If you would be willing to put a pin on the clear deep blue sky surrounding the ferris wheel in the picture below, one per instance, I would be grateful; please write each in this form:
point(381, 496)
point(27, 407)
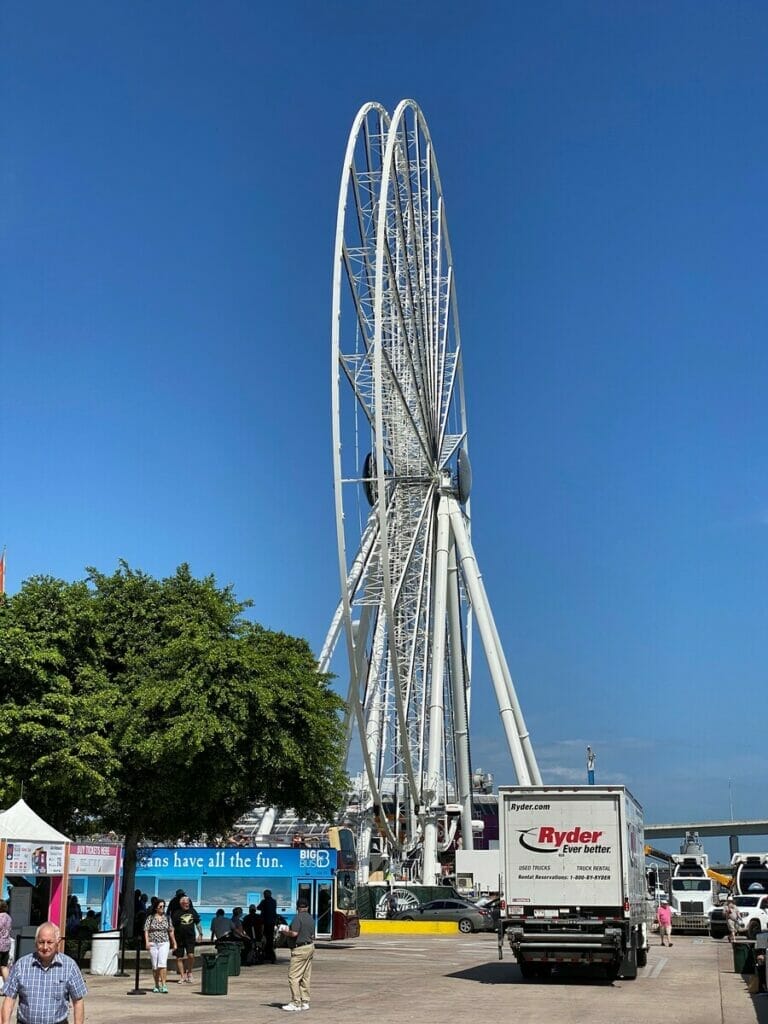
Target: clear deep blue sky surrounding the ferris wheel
point(167, 209)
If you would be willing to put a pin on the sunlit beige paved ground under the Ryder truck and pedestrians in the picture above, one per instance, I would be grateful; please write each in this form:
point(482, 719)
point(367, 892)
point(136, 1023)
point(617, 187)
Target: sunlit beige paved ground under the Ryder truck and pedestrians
point(437, 979)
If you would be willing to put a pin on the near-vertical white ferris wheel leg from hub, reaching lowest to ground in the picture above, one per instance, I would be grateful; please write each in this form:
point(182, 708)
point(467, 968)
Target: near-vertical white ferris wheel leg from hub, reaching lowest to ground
point(432, 868)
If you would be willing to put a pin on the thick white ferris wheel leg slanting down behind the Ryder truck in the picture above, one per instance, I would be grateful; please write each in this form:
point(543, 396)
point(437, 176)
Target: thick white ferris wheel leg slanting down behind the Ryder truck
point(485, 621)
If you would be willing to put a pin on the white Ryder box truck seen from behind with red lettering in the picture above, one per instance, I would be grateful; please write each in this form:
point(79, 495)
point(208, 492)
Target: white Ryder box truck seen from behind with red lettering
point(573, 881)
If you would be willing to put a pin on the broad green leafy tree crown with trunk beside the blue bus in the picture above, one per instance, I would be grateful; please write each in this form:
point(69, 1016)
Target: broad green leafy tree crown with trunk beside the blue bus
point(176, 714)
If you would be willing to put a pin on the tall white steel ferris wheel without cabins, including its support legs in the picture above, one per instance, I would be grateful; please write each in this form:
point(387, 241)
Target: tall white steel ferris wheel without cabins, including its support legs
point(411, 589)
